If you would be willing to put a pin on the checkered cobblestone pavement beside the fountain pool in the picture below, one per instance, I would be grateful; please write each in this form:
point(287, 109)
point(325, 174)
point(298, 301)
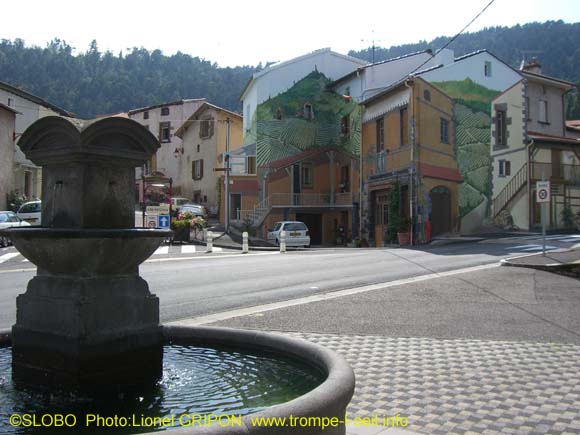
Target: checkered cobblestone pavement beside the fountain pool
point(459, 386)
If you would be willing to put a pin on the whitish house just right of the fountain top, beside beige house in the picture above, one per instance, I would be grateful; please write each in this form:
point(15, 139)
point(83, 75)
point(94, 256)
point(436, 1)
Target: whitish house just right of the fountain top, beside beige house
point(163, 120)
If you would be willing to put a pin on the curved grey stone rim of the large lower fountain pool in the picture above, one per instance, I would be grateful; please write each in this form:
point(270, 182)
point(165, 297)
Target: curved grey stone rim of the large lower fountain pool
point(328, 399)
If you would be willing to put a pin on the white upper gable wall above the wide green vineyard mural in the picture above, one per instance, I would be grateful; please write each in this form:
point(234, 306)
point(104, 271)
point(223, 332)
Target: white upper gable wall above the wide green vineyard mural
point(282, 76)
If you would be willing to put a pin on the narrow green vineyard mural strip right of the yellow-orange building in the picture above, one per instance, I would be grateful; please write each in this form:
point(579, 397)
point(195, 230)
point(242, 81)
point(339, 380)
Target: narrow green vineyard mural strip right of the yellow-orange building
point(473, 128)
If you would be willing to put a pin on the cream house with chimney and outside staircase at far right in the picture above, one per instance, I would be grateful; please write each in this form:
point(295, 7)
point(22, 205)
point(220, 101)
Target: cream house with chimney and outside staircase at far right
point(530, 143)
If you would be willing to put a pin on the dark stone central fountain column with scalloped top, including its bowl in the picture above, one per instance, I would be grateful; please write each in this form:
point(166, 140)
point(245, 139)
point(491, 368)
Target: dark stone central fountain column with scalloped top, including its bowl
point(87, 319)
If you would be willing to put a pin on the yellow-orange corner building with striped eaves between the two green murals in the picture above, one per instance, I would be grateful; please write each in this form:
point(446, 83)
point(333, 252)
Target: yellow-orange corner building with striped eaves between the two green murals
point(408, 139)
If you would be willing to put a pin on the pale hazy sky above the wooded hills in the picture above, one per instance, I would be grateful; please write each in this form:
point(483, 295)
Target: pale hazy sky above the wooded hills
point(247, 32)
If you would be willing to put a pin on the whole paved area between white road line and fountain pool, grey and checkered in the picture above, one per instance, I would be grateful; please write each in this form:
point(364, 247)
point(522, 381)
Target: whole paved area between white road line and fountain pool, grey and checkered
point(494, 351)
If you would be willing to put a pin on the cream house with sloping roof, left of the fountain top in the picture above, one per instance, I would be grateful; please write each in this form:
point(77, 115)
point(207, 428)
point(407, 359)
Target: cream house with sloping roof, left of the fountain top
point(27, 176)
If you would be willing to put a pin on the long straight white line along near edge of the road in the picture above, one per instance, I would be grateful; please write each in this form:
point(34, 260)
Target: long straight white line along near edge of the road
point(217, 317)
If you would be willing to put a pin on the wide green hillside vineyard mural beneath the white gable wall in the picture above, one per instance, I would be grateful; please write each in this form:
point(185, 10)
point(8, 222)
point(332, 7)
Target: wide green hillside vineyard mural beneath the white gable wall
point(306, 116)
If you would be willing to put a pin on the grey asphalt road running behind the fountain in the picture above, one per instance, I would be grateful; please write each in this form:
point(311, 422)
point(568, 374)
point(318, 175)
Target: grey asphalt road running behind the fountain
point(195, 285)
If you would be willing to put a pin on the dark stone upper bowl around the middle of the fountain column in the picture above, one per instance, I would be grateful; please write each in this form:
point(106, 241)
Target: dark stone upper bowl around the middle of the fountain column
point(87, 251)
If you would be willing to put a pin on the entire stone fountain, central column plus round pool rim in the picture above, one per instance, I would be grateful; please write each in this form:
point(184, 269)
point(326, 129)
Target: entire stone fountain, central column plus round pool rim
point(88, 322)
